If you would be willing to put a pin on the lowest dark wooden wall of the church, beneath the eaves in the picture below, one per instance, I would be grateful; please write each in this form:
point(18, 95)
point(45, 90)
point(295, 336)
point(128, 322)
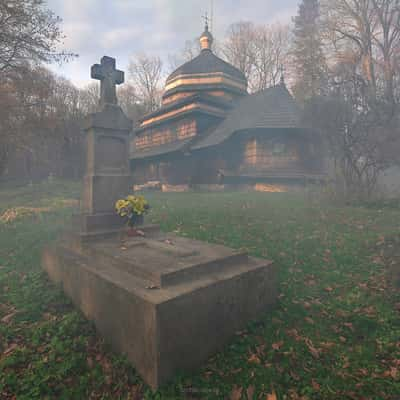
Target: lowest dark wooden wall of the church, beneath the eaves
point(262, 153)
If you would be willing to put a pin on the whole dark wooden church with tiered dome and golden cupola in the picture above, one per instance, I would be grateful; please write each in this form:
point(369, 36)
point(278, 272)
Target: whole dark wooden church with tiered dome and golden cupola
point(210, 131)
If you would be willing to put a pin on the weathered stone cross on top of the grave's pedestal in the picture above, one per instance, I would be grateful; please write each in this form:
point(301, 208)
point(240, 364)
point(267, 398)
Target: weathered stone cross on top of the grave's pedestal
point(109, 77)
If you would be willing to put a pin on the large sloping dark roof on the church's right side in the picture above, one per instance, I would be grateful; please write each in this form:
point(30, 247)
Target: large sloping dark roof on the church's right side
point(272, 108)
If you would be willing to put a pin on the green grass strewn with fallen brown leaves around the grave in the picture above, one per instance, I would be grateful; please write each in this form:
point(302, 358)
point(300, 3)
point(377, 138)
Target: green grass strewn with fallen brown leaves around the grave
point(335, 333)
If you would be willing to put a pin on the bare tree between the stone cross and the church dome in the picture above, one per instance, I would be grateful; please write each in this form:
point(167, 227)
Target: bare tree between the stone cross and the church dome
point(145, 73)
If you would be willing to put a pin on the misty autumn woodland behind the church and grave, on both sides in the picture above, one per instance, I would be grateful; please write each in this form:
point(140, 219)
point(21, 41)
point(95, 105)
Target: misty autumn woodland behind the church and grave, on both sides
point(339, 58)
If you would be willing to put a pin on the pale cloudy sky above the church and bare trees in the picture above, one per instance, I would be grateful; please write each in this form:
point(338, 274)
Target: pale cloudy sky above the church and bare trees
point(121, 28)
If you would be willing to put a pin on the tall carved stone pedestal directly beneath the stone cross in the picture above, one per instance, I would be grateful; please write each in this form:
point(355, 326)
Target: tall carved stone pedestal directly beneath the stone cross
point(108, 177)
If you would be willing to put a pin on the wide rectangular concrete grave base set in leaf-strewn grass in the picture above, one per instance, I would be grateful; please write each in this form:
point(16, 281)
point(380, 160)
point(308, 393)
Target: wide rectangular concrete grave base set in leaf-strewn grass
point(166, 302)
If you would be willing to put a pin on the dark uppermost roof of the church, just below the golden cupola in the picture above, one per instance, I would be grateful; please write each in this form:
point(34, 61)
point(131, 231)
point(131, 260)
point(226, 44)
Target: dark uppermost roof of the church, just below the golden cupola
point(205, 63)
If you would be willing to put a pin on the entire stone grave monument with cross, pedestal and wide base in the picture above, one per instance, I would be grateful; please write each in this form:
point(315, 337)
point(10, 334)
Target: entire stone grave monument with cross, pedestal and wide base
point(165, 301)
